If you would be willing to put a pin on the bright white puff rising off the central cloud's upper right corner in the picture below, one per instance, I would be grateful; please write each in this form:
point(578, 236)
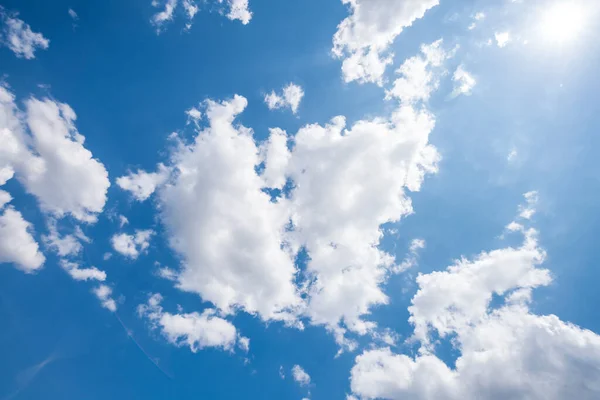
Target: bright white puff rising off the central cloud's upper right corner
point(419, 75)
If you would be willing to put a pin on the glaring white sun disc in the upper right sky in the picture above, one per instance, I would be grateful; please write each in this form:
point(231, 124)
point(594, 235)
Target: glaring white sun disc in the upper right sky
point(563, 21)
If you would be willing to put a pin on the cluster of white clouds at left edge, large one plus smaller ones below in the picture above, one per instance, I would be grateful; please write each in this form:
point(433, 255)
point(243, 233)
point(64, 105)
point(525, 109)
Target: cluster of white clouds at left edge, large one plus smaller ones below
point(42, 148)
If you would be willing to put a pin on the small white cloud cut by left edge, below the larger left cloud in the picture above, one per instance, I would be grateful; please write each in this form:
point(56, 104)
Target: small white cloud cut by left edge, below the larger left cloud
point(17, 244)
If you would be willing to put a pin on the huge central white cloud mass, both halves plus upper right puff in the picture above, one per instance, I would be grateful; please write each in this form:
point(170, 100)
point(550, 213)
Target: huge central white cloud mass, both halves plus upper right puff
point(239, 230)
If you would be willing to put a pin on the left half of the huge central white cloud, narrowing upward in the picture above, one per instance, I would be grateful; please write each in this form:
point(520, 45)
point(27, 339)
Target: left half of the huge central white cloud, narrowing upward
point(224, 226)
